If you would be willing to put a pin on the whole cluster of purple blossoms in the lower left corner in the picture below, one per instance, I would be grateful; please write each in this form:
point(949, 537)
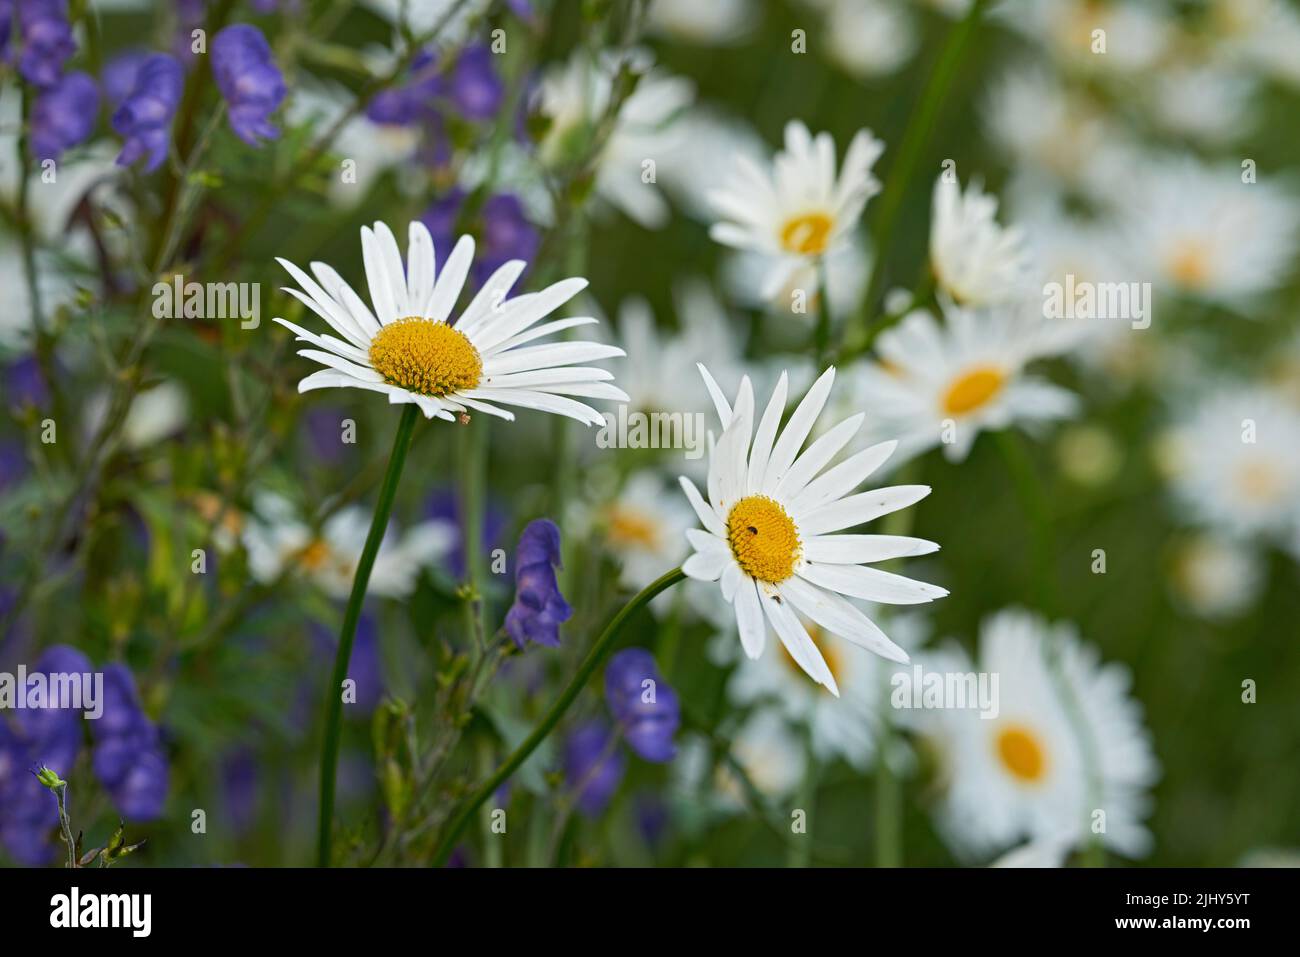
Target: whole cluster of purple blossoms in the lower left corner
point(128, 757)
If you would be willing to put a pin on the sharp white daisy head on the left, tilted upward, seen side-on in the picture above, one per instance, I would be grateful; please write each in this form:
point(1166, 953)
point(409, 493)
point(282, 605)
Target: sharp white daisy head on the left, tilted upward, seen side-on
point(409, 350)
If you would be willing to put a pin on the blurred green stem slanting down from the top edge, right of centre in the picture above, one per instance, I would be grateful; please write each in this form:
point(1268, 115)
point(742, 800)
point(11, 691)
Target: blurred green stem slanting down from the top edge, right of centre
point(909, 155)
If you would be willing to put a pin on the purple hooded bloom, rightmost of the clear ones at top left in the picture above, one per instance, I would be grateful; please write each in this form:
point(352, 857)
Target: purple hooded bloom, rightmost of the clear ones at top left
point(250, 81)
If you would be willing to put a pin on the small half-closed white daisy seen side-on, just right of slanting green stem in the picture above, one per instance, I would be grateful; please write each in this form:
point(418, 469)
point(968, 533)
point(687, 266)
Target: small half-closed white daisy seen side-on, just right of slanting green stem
point(976, 261)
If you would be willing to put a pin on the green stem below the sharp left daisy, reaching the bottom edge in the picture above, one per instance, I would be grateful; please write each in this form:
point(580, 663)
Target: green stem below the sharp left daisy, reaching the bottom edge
point(352, 616)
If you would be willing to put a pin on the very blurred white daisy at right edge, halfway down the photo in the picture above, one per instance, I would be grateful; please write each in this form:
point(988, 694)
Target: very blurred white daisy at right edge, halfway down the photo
point(1234, 462)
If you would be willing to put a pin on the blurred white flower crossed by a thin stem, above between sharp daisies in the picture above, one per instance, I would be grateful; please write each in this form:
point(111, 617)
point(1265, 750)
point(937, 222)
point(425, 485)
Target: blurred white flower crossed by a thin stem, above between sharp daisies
point(577, 96)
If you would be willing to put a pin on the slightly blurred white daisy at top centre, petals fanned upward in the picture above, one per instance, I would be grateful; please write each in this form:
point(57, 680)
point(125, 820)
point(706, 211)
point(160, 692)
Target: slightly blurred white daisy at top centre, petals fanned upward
point(800, 209)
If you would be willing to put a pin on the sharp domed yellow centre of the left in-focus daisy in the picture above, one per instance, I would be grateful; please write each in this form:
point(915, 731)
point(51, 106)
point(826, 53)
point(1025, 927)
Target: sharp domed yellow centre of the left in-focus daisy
point(424, 357)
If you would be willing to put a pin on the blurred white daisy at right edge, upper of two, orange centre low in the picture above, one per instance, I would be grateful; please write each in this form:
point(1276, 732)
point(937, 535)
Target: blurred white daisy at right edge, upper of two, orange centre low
point(1203, 232)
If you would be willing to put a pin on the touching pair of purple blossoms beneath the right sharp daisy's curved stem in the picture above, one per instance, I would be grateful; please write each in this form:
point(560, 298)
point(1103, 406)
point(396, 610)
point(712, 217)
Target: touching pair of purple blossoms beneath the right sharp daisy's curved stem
point(647, 713)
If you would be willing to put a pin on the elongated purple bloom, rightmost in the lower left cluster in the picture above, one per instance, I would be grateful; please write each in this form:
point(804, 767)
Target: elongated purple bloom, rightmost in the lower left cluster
point(129, 759)
